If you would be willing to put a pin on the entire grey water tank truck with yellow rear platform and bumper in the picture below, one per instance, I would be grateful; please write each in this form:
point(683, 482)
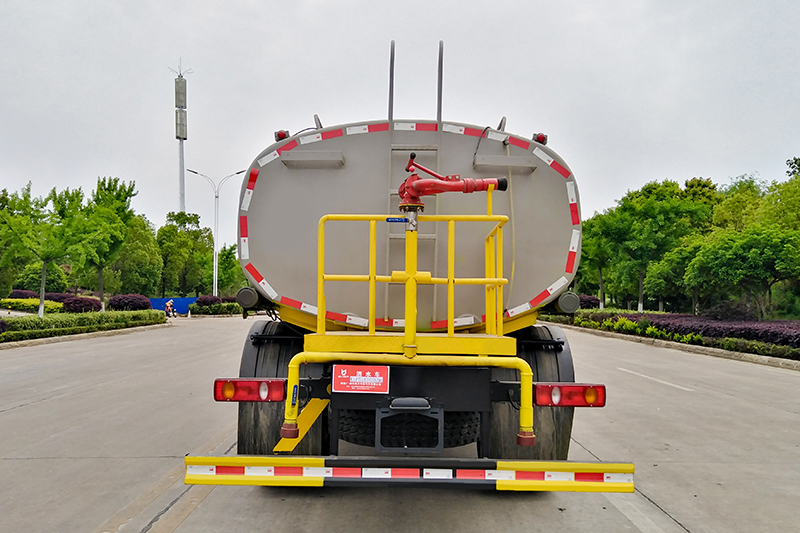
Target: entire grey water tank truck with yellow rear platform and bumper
point(402, 264)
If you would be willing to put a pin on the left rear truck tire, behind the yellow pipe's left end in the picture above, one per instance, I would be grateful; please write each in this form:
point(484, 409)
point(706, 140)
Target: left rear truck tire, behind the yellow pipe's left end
point(260, 422)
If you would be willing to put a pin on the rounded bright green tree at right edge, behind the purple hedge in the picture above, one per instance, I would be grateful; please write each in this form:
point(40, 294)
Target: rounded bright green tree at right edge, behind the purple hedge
point(748, 263)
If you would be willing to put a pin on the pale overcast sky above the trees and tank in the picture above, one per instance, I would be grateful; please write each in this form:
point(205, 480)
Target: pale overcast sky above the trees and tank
point(628, 91)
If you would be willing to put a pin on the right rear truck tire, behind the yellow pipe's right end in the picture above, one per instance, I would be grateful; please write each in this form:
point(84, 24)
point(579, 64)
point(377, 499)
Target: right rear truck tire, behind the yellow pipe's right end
point(551, 425)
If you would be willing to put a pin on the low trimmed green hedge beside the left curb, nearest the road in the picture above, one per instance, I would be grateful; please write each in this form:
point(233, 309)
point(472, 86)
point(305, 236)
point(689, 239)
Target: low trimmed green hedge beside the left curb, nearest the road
point(33, 327)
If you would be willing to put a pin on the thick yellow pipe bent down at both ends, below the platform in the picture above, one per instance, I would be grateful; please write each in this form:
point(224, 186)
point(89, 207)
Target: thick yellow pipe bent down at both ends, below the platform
point(526, 376)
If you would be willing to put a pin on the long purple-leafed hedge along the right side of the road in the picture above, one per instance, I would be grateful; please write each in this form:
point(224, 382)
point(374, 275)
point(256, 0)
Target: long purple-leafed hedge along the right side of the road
point(782, 332)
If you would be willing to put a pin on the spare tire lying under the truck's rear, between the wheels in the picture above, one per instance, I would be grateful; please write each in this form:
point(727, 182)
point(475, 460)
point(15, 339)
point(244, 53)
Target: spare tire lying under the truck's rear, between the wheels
point(412, 430)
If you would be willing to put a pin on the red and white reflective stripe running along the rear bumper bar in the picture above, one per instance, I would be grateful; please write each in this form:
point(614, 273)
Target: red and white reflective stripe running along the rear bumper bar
point(407, 473)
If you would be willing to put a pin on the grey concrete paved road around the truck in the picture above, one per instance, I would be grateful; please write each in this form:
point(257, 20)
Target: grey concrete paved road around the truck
point(93, 432)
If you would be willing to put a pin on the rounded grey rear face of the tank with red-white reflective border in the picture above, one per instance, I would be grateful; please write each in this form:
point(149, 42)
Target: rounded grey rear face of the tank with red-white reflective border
point(357, 169)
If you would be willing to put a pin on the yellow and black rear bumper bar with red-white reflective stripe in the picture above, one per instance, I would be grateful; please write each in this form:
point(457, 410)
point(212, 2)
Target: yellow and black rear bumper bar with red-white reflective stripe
point(299, 471)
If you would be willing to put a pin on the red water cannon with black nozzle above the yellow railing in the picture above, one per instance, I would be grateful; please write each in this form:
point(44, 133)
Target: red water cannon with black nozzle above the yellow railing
point(415, 187)
